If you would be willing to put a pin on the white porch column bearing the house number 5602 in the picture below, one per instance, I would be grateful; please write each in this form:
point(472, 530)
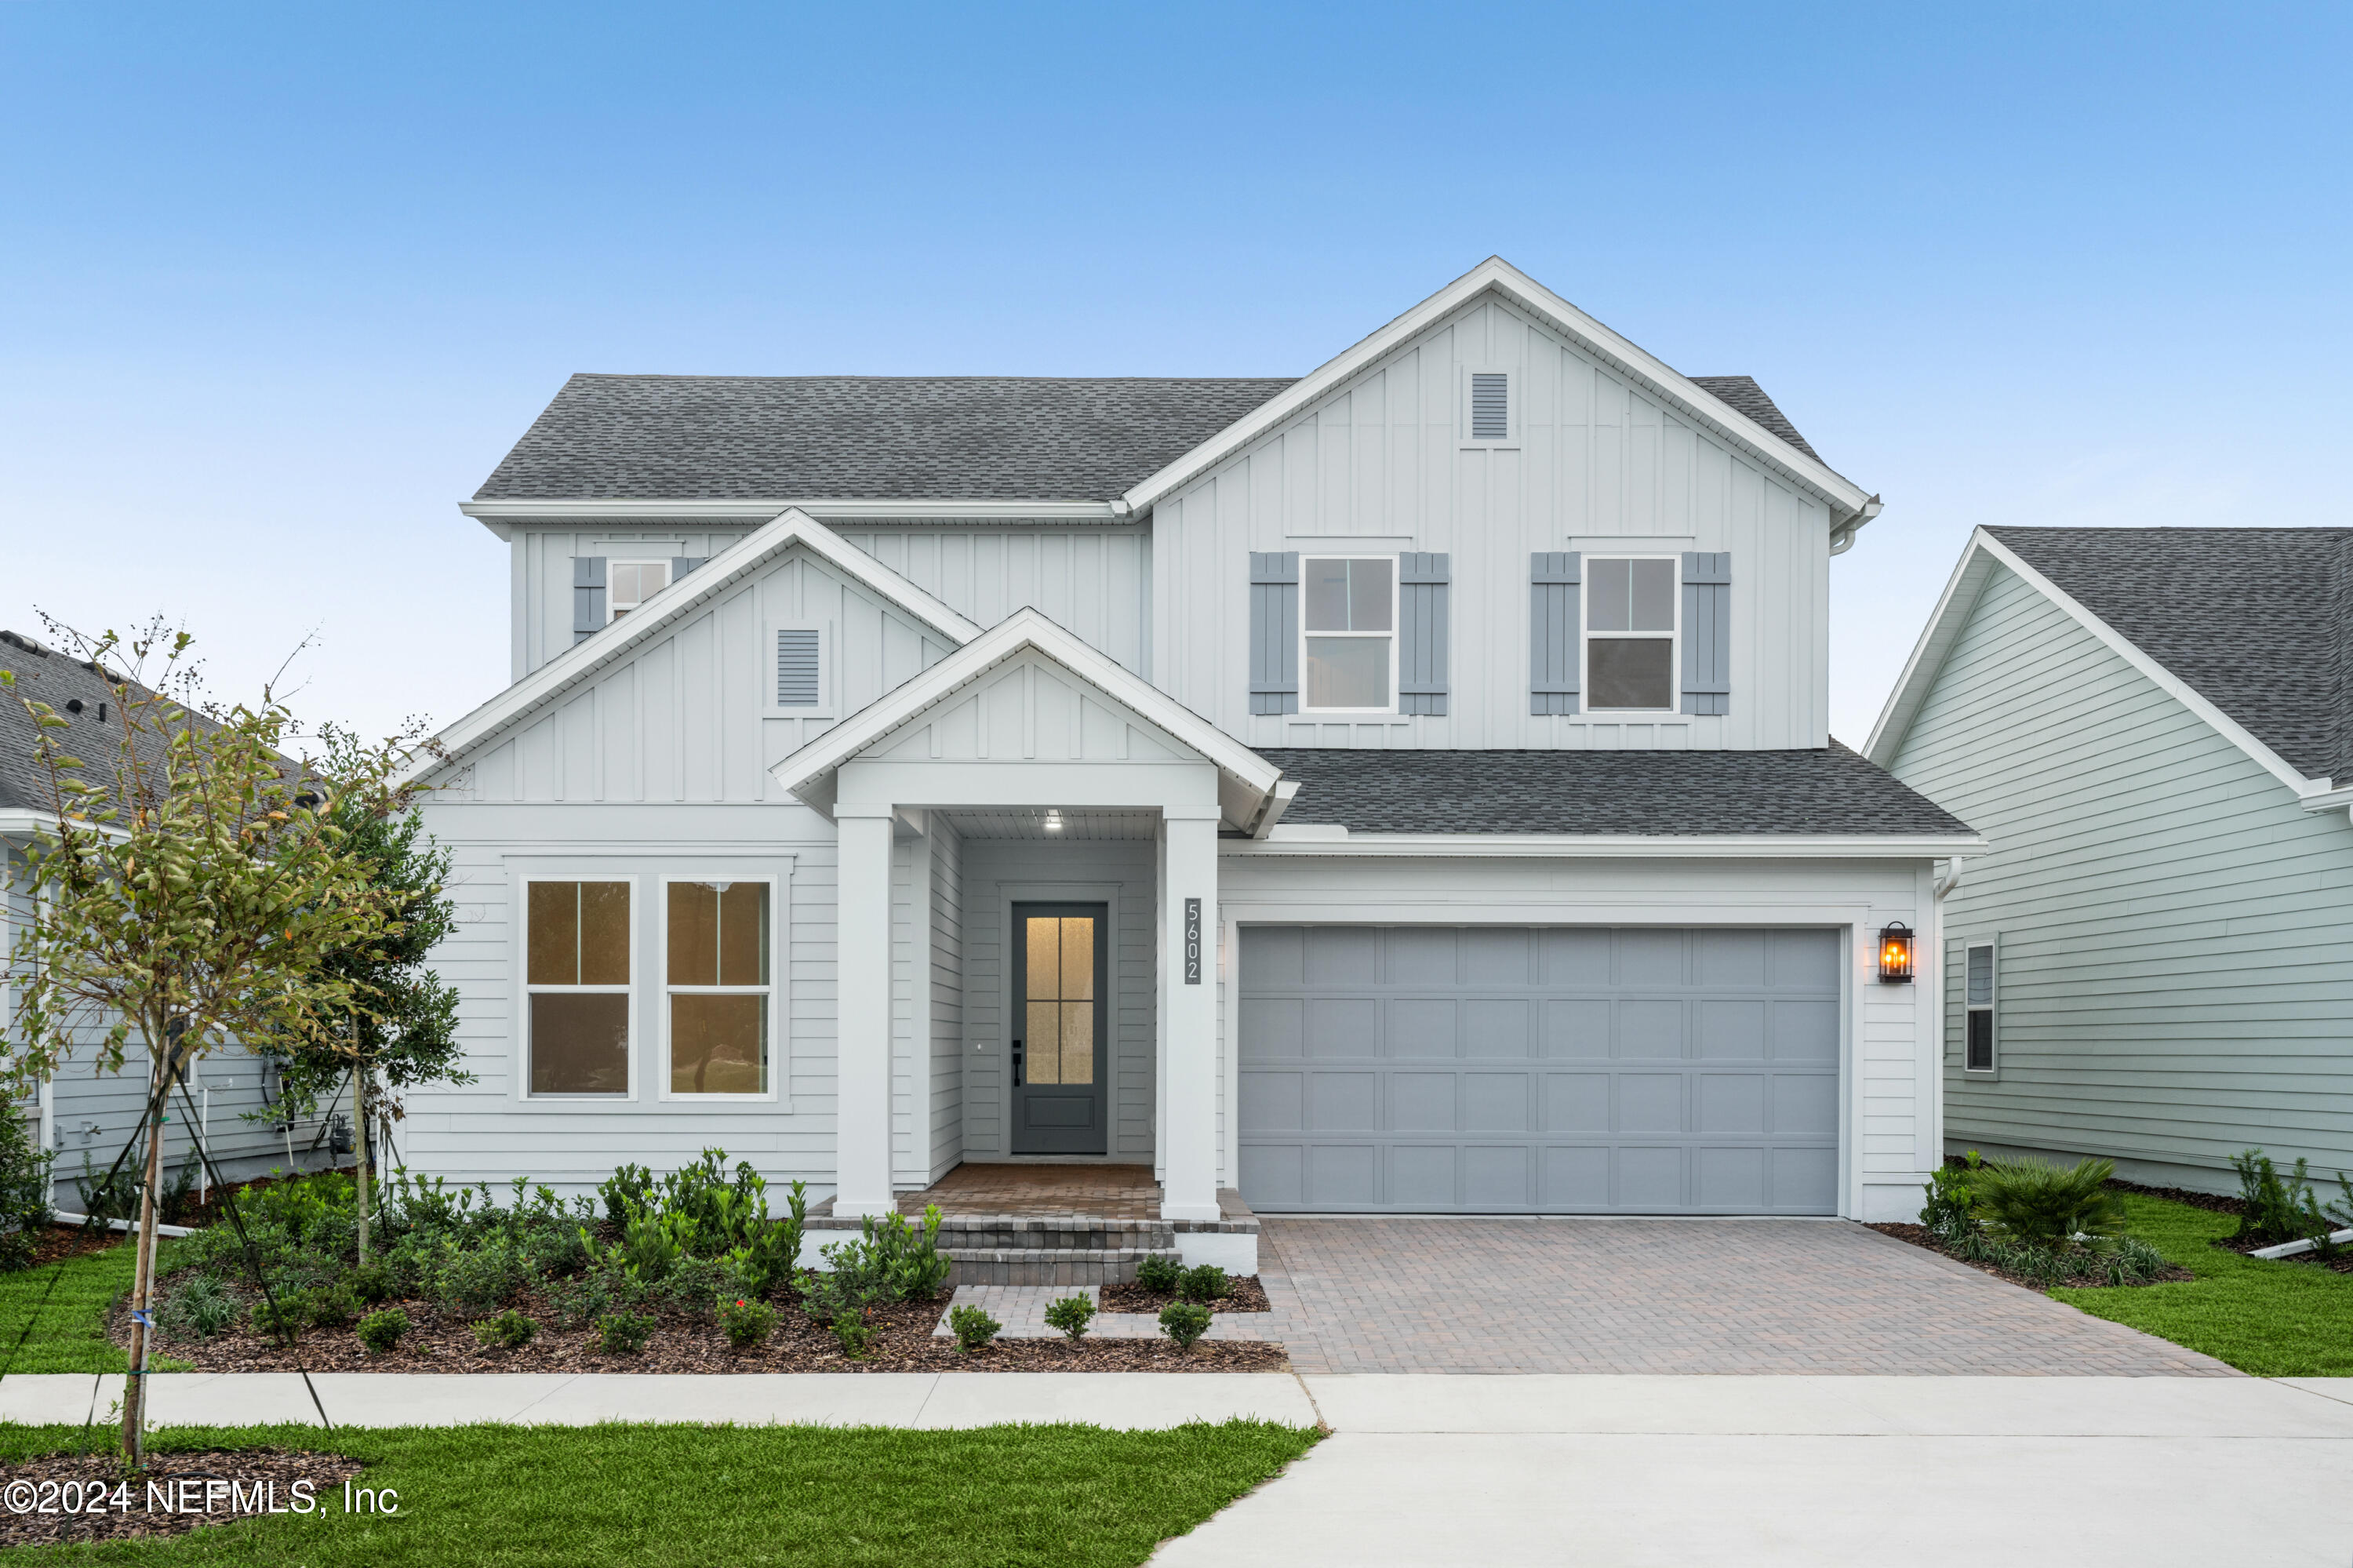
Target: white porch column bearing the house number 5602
point(1189, 1014)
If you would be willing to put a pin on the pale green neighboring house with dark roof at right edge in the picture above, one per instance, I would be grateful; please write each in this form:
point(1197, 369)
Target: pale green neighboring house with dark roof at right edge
point(2154, 729)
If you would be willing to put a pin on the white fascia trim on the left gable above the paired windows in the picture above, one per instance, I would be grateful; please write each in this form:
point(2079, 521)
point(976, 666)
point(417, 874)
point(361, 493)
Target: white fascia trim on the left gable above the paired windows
point(667, 609)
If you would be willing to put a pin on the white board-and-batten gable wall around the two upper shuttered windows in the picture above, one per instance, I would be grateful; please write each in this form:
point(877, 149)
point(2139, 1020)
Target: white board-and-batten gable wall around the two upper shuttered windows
point(1380, 467)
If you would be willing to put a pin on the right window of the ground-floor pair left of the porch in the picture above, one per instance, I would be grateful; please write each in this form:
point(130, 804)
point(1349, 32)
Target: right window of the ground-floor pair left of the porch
point(719, 992)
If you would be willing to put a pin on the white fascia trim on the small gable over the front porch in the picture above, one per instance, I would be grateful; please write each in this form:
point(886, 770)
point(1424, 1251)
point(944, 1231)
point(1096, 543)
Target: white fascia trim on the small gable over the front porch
point(808, 771)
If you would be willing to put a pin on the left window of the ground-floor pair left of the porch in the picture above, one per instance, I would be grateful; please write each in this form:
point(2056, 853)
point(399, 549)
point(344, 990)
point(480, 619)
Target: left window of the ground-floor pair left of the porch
point(578, 992)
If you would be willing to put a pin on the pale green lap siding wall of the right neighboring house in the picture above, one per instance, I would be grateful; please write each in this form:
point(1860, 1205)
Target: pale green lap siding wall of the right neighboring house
point(2175, 931)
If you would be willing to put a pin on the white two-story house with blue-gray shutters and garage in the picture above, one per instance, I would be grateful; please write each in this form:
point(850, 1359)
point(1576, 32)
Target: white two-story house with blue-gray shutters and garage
point(1401, 790)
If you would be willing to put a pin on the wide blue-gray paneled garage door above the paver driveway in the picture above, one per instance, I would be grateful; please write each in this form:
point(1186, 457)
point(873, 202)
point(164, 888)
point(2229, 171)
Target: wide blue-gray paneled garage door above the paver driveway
point(1540, 1070)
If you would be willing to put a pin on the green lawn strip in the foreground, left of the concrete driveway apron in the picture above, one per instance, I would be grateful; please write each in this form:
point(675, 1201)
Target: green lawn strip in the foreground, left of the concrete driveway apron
point(724, 1496)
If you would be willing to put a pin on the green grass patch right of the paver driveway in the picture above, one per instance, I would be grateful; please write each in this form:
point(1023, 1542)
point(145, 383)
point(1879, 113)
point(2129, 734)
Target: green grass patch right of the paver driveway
point(2260, 1317)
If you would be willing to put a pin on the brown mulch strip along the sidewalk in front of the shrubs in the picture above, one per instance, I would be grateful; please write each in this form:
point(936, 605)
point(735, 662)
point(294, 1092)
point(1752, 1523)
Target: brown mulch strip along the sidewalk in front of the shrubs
point(681, 1343)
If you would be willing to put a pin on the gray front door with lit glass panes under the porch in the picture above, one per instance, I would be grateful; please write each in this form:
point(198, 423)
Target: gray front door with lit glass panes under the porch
point(1060, 1039)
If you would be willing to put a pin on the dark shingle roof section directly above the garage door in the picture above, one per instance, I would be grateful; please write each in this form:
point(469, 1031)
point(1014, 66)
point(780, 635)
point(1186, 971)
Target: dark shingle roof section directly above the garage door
point(1604, 792)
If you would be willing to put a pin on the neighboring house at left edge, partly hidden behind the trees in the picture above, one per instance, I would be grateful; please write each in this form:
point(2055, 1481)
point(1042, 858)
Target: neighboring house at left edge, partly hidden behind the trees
point(81, 1112)
